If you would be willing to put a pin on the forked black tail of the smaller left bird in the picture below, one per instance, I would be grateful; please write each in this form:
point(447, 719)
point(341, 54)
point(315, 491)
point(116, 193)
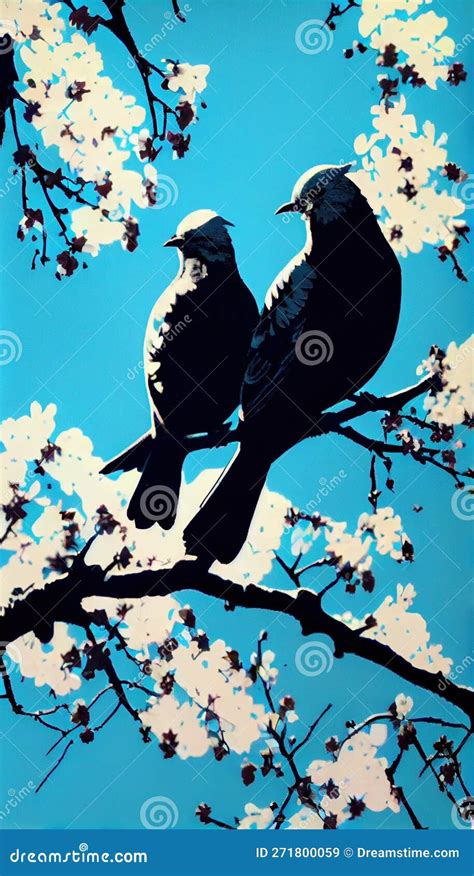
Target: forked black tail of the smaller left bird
point(160, 459)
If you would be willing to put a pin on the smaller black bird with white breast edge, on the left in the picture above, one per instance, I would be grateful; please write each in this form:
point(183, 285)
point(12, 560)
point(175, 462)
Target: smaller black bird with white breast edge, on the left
point(195, 349)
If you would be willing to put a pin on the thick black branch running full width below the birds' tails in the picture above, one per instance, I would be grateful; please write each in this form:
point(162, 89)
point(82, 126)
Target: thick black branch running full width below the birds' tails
point(61, 601)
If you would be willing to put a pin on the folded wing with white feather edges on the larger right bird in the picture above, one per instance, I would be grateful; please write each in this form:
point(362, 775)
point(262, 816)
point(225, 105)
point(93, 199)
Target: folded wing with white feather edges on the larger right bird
point(272, 351)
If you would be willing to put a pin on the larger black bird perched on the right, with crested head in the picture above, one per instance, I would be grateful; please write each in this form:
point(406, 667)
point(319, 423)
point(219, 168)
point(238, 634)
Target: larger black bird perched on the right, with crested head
point(328, 322)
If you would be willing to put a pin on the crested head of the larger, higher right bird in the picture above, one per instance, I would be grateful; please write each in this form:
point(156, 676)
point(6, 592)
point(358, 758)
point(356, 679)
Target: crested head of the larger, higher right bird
point(323, 191)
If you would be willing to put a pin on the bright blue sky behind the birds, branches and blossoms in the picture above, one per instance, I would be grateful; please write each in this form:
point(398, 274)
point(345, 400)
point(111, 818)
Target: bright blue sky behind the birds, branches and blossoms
point(272, 113)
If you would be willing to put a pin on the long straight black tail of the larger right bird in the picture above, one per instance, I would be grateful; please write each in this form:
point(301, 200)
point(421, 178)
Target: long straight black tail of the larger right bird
point(219, 529)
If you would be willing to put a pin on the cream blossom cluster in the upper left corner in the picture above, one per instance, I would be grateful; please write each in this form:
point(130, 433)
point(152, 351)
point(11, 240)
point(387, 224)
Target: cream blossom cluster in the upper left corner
point(68, 98)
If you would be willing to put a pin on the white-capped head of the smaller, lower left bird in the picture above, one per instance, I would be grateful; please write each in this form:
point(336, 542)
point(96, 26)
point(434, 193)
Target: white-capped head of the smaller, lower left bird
point(203, 235)
